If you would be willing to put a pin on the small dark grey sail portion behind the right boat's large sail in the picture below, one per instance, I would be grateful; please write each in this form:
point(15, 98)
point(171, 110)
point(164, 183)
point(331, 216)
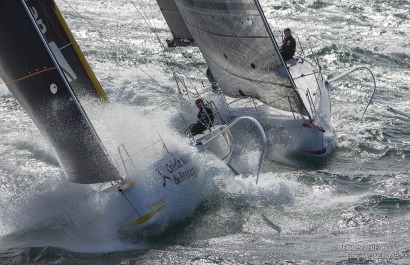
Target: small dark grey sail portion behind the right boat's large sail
point(174, 19)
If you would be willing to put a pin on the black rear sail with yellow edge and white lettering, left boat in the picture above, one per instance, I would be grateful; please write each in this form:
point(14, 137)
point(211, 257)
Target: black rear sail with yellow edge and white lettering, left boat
point(65, 49)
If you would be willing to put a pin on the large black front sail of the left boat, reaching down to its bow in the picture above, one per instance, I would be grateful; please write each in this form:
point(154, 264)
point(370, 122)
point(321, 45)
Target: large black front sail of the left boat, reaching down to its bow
point(31, 73)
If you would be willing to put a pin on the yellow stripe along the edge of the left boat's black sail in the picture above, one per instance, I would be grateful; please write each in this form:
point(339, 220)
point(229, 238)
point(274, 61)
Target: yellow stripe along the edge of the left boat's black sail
point(80, 54)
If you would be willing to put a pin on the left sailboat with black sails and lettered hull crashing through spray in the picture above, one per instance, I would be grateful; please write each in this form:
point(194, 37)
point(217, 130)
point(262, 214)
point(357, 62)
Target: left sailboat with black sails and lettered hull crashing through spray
point(45, 70)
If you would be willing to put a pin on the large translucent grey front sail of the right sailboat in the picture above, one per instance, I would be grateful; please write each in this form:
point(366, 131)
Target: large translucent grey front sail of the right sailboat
point(240, 51)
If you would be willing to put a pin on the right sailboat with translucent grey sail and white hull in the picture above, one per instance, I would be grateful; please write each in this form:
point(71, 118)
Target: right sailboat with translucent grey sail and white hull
point(289, 98)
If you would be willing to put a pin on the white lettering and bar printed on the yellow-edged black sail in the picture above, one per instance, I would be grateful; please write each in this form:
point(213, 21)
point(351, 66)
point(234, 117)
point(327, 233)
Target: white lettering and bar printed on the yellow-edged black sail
point(65, 67)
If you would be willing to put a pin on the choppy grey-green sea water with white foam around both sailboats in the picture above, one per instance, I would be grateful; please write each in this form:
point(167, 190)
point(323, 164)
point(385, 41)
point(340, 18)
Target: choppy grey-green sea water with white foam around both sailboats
point(352, 207)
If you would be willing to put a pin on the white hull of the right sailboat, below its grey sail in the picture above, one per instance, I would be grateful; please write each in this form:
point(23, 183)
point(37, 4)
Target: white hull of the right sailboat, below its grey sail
point(293, 132)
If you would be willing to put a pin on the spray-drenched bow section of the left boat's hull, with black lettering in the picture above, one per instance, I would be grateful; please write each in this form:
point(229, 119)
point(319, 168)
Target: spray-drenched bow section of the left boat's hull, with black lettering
point(164, 192)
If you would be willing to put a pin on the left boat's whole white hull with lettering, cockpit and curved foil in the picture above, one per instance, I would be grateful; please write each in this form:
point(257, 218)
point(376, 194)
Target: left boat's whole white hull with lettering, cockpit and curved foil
point(171, 188)
